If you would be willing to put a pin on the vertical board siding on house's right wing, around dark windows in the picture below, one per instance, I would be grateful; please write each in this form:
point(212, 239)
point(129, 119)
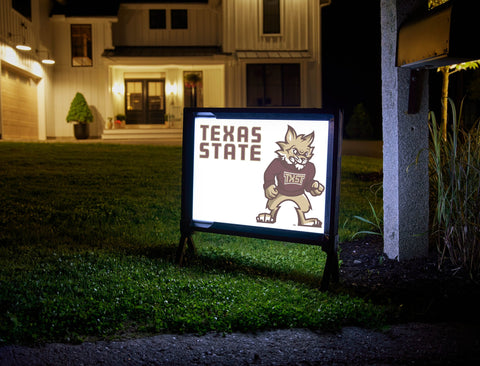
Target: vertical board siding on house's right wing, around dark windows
point(299, 37)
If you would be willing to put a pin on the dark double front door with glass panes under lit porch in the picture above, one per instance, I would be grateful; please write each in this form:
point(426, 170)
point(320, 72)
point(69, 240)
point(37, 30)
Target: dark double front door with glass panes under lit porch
point(145, 101)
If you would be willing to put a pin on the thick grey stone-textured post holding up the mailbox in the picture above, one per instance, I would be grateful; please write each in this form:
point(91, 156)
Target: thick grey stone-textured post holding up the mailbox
point(405, 183)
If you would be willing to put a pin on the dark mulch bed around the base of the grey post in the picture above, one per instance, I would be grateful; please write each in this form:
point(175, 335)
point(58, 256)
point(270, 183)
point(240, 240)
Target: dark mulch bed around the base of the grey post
point(415, 289)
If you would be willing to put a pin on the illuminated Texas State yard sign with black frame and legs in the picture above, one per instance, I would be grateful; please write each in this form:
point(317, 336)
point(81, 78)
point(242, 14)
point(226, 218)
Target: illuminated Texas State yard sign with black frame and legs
point(265, 173)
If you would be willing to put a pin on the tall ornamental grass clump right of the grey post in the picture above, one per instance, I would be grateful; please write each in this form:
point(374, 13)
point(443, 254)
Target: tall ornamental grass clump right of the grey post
point(455, 181)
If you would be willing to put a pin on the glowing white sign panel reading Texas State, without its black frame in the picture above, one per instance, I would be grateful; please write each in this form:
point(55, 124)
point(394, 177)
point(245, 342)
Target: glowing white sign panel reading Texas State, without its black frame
point(266, 173)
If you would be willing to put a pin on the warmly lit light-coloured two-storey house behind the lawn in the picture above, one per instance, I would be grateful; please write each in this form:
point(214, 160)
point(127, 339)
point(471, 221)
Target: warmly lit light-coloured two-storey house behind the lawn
point(147, 60)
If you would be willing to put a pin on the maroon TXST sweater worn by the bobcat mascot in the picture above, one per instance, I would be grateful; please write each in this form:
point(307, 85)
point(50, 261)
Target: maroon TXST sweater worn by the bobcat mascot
point(289, 180)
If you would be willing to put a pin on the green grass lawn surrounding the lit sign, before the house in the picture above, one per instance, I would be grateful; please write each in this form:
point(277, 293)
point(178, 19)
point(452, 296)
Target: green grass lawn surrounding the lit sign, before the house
point(88, 234)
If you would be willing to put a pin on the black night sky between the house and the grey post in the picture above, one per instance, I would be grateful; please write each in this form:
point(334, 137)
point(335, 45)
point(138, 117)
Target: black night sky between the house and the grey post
point(351, 57)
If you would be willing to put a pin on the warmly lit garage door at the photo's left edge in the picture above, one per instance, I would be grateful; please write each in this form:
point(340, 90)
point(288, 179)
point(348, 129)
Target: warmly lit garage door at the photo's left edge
point(19, 105)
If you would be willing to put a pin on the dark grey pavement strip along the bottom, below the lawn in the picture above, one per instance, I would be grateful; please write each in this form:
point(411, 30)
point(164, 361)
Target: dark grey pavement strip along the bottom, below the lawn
point(405, 344)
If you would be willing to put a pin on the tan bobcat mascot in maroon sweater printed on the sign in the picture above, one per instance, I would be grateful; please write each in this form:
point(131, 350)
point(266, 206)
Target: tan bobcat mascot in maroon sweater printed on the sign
point(289, 176)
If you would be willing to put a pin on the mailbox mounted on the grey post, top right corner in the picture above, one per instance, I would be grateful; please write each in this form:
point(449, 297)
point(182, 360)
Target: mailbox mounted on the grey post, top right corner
point(447, 35)
